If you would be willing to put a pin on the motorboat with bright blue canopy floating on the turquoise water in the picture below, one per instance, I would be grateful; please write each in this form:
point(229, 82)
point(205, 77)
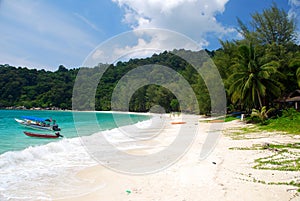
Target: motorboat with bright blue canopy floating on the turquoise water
point(38, 123)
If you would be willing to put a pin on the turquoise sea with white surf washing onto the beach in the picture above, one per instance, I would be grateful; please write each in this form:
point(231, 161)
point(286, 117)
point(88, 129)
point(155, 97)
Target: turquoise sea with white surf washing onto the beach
point(28, 163)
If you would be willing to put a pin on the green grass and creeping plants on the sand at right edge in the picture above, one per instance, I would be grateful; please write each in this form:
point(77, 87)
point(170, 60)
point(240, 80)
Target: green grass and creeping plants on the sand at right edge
point(281, 156)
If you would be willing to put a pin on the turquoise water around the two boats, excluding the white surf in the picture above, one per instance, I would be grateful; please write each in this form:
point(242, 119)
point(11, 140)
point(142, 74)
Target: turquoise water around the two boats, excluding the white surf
point(12, 137)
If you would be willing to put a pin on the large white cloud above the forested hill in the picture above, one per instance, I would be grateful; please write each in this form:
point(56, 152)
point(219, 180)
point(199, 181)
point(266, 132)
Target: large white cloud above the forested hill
point(192, 18)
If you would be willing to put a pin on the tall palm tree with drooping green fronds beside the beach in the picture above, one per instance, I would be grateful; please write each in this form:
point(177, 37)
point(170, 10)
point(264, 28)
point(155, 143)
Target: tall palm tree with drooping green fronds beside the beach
point(252, 78)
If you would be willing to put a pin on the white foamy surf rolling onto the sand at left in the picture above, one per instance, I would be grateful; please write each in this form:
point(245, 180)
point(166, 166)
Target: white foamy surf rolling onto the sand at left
point(35, 172)
